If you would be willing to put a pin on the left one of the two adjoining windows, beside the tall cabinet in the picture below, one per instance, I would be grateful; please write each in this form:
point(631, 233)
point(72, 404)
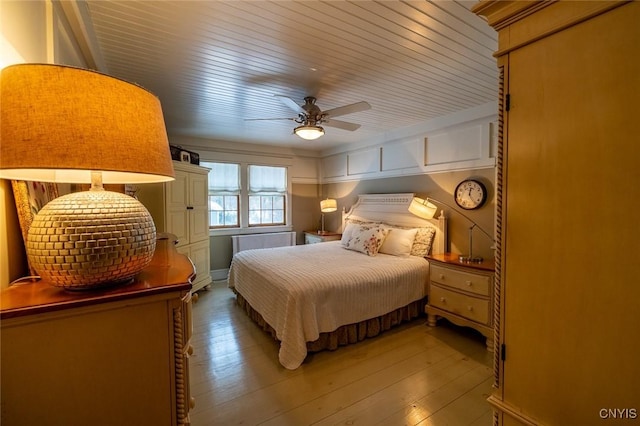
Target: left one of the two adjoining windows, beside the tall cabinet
point(224, 192)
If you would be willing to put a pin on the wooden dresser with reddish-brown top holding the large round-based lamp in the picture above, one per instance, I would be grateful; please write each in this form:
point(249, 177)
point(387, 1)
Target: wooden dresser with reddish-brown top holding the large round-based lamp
point(117, 356)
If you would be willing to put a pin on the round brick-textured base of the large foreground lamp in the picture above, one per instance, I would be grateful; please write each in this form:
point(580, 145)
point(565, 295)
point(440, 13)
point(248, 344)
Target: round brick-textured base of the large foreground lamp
point(91, 239)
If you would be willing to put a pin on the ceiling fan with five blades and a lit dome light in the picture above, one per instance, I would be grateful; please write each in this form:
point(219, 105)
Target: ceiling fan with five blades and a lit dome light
point(310, 116)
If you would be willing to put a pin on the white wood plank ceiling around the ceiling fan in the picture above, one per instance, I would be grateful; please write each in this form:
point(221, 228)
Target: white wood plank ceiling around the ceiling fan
point(215, 64)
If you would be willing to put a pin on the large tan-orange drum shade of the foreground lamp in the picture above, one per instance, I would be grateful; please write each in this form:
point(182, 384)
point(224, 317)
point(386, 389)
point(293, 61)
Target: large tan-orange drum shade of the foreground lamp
point(59, 123)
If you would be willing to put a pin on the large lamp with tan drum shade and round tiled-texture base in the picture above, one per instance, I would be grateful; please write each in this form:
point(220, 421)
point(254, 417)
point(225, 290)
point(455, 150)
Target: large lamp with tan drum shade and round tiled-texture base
point(66, 124)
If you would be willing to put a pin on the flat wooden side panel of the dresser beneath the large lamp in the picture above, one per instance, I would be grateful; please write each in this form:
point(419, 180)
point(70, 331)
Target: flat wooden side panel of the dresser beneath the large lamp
point(106, 364)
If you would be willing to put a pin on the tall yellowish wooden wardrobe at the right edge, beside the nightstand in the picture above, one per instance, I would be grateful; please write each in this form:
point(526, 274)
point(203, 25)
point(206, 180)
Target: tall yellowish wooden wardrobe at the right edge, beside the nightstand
point(568, 212)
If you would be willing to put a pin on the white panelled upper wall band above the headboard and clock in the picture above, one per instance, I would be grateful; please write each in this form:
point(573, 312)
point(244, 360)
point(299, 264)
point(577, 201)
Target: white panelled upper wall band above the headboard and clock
point(462, 141)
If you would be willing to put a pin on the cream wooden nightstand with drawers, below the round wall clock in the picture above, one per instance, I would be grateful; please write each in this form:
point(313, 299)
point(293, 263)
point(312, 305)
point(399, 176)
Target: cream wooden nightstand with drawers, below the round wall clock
point(461, 293)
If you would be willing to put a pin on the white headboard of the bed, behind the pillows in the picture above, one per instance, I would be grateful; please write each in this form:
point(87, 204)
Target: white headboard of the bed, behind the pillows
point(394, 210)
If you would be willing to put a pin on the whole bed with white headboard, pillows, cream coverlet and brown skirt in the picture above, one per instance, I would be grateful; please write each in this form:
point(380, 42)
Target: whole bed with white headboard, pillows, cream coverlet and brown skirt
point(321, 296)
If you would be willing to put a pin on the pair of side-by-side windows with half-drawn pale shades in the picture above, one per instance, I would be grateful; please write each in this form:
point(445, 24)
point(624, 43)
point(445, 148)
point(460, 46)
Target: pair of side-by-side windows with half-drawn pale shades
point(246, 195)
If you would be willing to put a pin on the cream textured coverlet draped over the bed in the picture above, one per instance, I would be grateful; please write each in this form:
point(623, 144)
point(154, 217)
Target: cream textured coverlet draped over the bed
point(302, 291)
